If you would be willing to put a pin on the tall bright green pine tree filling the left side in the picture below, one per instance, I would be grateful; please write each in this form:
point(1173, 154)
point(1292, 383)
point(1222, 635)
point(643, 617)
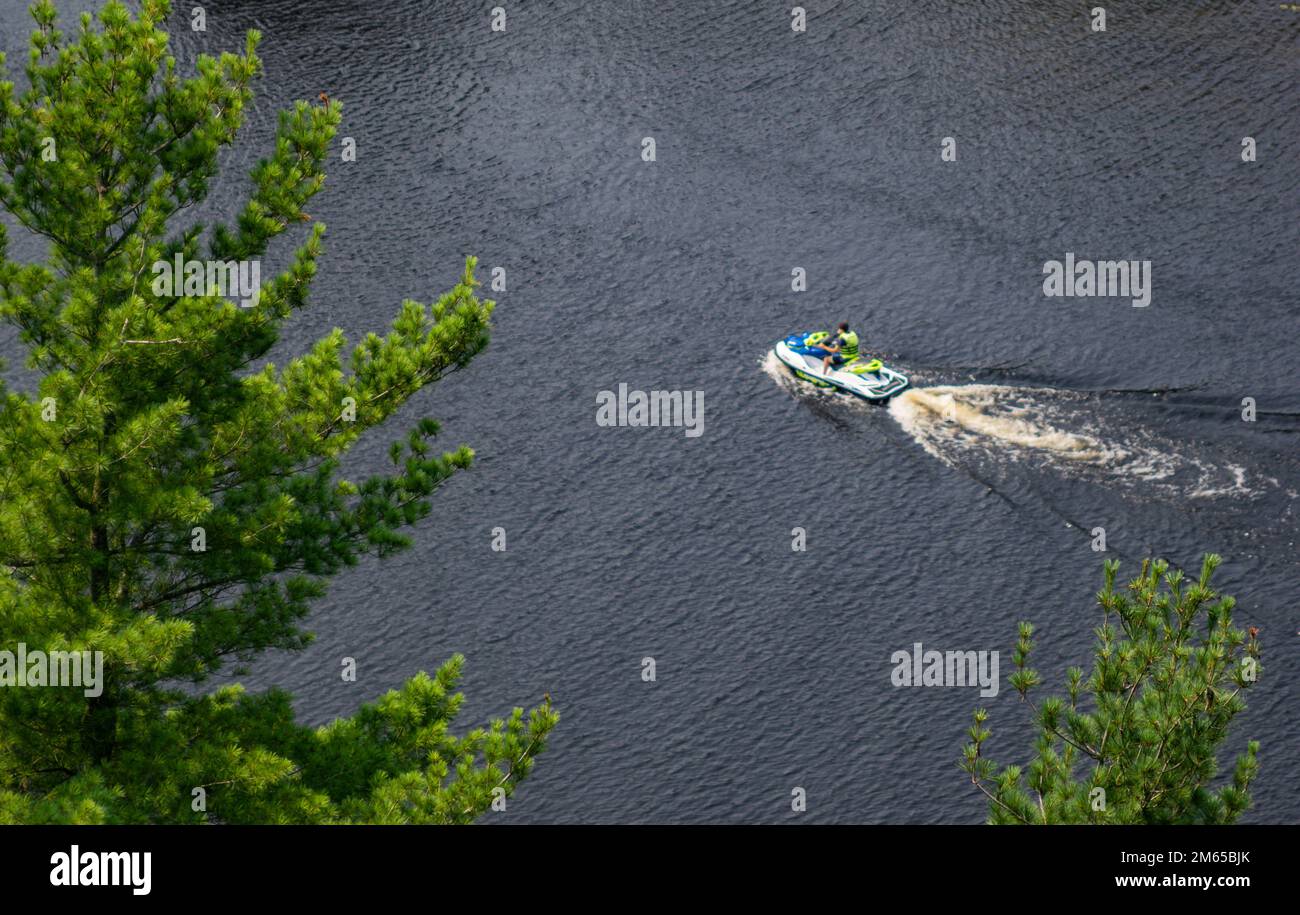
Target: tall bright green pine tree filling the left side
point(172, 502)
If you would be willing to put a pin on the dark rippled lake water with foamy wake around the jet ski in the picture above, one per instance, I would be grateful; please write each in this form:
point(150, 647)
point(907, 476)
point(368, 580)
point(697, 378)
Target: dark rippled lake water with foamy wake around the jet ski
point(943, 519)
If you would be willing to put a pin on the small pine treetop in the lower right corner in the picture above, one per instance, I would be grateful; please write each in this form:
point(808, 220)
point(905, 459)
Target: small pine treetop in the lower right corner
point(1145, 727)
